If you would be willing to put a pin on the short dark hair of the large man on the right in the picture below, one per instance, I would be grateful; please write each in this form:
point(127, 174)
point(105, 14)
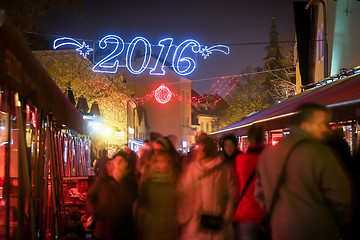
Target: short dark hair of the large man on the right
point(306, 112)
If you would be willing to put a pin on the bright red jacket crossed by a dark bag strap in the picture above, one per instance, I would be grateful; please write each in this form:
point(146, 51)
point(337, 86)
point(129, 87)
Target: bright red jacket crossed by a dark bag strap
point(248, 210)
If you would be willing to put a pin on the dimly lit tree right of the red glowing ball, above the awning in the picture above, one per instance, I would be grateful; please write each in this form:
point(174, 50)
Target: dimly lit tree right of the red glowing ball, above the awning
point(247, 98)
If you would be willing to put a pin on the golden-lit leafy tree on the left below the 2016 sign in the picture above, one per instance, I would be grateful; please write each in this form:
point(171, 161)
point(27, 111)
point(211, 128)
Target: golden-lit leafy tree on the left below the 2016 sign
point(68, 68)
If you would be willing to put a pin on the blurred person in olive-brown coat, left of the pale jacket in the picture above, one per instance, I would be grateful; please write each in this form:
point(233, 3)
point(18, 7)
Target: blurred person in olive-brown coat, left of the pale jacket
point(156, 211)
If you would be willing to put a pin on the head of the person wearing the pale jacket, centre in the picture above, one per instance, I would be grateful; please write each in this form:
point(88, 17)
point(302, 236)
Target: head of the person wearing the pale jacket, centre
point(205, 147)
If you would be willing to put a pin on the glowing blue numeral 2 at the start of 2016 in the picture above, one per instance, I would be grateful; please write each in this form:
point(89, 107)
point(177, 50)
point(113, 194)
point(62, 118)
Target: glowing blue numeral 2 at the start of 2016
point(102, 66)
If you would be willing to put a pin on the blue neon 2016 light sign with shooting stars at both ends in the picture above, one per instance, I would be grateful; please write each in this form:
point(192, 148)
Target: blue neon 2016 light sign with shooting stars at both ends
point(181, 63)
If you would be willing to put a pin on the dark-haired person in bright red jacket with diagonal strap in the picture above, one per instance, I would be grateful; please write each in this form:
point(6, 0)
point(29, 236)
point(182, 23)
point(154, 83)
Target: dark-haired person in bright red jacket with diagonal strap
point(248, 213)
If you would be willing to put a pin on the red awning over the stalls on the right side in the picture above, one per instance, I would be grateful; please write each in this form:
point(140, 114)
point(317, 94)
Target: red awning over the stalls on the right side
point(342, 96)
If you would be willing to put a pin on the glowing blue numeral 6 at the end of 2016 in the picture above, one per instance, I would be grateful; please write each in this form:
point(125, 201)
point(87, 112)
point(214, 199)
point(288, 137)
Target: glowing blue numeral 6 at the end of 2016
point(177, 58)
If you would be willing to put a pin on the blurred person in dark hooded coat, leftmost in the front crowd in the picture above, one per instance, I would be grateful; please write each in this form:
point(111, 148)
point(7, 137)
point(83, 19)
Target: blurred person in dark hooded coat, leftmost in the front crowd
point(111, 198)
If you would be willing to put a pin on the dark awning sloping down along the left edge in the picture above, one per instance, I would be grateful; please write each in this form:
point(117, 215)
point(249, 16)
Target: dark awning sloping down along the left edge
point(22, 72)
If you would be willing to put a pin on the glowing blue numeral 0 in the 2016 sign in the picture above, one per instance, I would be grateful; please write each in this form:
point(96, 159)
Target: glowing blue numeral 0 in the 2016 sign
point(147, 55)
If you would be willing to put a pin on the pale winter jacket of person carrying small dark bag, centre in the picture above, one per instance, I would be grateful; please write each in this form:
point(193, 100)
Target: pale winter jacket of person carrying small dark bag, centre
point(205, 189)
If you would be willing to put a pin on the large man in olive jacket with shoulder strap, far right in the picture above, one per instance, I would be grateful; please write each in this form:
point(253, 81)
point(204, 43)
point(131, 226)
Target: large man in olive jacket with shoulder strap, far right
point(314, 196)
